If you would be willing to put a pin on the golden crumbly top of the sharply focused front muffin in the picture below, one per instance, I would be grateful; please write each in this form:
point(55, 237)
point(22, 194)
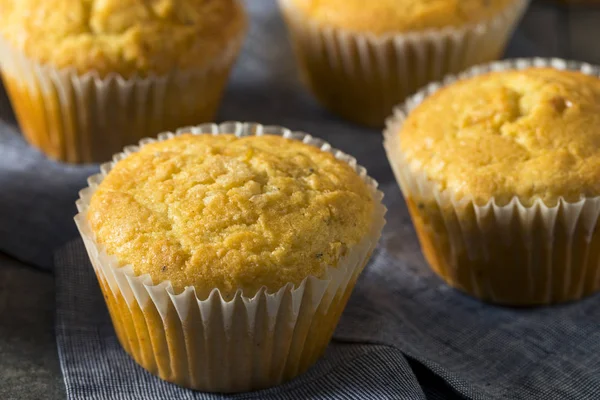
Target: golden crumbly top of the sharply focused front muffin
point(230, 213)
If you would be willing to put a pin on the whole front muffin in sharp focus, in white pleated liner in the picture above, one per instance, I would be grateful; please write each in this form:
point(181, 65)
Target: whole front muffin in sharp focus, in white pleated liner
point(226, 254)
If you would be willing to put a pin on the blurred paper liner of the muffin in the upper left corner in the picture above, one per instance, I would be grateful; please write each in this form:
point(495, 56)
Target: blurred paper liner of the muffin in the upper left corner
point(87, 118)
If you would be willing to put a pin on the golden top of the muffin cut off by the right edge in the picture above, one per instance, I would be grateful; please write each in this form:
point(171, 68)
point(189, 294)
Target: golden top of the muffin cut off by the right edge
point(533, 133)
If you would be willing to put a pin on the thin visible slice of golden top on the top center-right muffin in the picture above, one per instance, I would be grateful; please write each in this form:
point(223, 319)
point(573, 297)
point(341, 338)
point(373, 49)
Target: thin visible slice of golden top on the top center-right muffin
point(399, 16)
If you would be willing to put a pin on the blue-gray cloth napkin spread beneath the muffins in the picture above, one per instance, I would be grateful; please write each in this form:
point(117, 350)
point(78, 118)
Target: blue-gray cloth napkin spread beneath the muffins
point(404, 334)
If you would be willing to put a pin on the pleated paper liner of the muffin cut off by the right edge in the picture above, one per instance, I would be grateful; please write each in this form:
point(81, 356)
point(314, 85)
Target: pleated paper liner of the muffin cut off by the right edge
point(512, 254)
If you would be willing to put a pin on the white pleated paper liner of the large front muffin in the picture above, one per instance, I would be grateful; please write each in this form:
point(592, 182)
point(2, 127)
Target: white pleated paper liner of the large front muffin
point(208, 342)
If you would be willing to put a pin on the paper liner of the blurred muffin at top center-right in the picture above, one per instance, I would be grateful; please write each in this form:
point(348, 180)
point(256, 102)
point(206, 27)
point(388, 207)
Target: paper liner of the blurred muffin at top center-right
point(362, 76)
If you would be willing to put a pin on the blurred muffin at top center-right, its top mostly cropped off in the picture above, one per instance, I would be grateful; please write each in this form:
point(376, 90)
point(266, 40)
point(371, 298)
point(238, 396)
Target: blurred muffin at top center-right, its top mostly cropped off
point(361, 58)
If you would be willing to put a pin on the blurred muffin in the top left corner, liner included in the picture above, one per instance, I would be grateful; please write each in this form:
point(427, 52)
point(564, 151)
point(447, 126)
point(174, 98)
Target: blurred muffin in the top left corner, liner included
point(86, 78)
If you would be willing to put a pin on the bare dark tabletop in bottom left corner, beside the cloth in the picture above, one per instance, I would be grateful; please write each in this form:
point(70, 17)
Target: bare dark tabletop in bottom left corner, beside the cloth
point(29, 367)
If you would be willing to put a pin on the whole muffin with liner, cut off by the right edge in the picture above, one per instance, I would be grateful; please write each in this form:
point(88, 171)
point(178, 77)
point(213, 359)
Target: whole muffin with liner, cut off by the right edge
point(501, 175)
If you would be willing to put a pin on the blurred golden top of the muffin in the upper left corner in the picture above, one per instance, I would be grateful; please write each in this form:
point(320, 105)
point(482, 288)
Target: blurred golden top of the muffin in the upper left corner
point(123, 36)
